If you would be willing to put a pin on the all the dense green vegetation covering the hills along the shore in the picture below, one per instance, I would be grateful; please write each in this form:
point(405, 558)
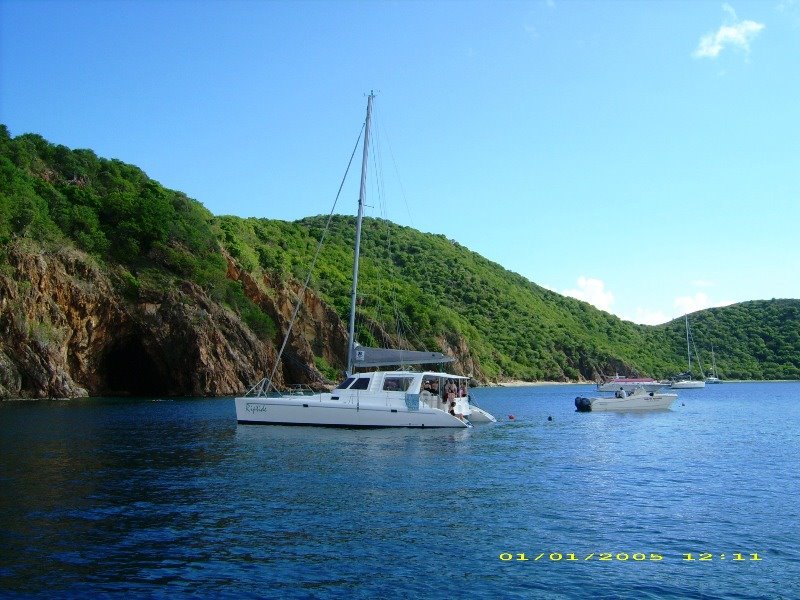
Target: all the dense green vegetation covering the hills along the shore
point(426, 287)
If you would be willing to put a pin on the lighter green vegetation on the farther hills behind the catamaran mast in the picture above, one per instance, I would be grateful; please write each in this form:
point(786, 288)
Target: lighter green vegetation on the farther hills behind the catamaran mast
point(434, 287)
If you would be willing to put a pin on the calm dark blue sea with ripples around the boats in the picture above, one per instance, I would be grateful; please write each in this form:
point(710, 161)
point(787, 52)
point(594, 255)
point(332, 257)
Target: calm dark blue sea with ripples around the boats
point(170, 498)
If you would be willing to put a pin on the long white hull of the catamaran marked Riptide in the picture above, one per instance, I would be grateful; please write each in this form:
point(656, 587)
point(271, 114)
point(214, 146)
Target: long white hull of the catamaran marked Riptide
point(326, 413)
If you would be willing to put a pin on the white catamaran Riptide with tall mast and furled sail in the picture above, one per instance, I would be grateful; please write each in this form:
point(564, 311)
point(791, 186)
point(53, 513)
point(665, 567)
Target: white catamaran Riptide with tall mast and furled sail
point(399, 398)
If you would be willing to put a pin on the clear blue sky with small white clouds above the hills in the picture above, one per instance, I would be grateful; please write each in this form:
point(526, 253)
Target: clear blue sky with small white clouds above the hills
point(643, 156)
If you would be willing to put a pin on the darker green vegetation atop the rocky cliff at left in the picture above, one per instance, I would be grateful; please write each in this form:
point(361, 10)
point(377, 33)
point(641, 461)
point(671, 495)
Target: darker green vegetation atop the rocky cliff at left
point(152, 236)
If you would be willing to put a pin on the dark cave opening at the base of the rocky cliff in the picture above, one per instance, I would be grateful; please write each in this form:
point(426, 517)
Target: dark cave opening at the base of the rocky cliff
point(131, 371)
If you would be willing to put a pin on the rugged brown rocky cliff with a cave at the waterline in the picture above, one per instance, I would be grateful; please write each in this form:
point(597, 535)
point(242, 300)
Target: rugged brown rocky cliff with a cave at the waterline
point(66, 330)
